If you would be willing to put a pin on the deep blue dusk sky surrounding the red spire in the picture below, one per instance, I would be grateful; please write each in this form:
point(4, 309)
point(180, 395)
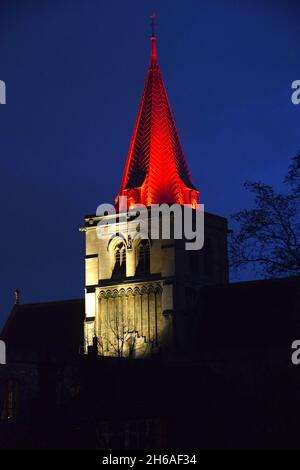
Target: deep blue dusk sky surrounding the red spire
point(75, 71)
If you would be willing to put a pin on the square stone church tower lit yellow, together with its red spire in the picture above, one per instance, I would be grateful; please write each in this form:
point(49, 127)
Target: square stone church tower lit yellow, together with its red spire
point(137, 288)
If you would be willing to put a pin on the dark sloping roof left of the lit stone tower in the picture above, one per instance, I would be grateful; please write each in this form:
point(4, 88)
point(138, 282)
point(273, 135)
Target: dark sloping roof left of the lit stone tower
point(44, 330)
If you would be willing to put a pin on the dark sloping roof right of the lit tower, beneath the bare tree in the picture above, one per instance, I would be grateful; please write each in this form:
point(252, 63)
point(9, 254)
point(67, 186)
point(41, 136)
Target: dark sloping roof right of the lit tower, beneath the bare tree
point(256, 314)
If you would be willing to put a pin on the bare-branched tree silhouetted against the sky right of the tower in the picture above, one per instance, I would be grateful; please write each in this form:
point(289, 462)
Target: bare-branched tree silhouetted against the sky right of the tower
point(268, 235)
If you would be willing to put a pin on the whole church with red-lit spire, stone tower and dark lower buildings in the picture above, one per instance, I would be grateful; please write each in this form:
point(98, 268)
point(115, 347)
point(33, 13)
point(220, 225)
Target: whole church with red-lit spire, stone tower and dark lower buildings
point(219, 352)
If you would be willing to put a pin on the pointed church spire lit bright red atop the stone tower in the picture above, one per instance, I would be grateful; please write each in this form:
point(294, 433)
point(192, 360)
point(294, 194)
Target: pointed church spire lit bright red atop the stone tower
point(156, 170)
